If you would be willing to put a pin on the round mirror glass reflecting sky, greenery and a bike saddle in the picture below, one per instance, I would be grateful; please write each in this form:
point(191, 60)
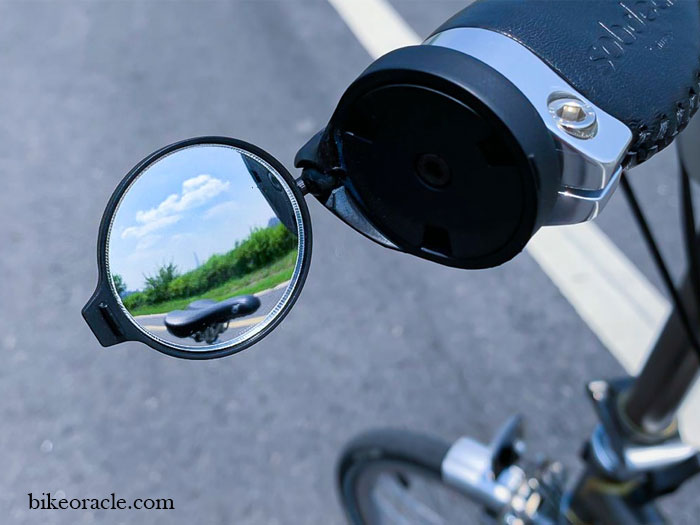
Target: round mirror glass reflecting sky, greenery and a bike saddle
point(203, 249)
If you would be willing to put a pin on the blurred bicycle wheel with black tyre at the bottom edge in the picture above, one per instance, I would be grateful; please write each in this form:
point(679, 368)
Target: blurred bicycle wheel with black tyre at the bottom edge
point(394, 477)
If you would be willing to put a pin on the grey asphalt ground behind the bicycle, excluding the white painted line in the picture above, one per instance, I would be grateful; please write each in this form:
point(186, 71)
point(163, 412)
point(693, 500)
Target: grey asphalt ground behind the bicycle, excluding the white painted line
point(377, 338)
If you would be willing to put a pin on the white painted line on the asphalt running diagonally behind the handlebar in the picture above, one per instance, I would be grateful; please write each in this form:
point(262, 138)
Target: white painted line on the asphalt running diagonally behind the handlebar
point(618, 303)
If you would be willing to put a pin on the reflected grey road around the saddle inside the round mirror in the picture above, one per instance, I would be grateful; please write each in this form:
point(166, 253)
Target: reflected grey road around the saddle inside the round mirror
point(155, 323)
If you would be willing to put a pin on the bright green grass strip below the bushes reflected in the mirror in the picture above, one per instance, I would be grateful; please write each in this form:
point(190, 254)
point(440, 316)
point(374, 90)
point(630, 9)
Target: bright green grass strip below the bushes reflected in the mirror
point(252, 283)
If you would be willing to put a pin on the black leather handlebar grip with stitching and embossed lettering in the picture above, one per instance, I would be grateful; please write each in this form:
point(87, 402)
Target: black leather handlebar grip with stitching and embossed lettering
point(638, 60)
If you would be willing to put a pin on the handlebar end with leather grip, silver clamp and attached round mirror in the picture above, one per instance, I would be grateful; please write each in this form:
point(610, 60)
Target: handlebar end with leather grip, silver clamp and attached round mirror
point(456, 151)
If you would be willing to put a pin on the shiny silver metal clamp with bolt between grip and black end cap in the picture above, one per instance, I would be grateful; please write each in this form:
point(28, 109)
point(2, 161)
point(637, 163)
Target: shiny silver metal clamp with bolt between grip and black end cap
point(592, 143)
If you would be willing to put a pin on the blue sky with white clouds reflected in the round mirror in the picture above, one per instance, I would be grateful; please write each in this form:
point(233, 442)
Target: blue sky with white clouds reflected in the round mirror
point(186, 207)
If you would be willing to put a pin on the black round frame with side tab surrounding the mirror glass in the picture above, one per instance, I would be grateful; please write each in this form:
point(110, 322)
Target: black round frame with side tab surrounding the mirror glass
point(104, 313)
